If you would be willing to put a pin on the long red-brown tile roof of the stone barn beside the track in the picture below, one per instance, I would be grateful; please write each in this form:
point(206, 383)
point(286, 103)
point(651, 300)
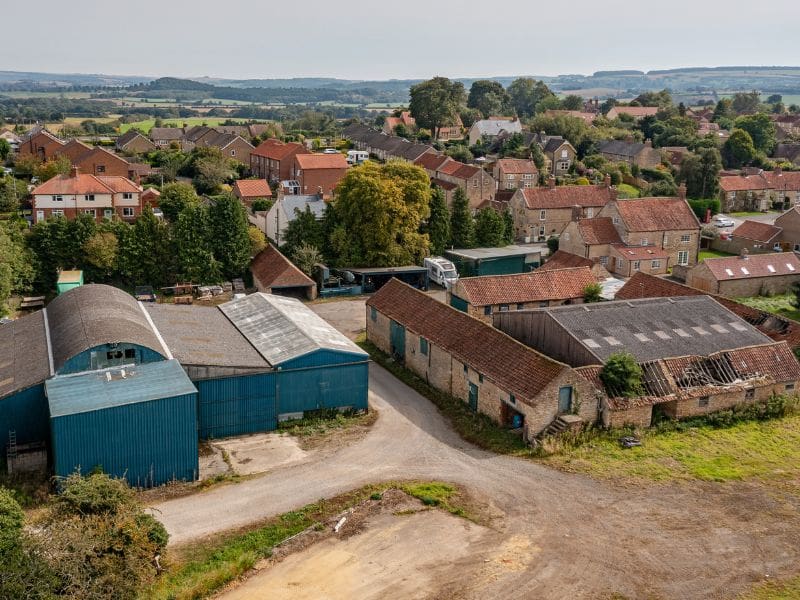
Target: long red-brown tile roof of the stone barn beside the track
point(509, 364)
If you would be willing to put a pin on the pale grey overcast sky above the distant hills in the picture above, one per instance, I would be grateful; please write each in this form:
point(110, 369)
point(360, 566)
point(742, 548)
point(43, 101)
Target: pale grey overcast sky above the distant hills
point(375, 39)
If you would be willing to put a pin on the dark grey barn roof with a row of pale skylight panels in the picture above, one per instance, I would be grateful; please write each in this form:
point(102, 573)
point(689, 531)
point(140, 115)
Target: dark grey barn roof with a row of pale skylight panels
point(656, 328)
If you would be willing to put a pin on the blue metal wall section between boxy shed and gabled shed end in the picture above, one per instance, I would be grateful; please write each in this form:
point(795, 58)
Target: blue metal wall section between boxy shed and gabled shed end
point(236, 405)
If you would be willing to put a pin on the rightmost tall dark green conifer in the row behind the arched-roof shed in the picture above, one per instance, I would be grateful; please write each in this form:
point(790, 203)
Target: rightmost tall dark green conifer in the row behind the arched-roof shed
point(229, 235)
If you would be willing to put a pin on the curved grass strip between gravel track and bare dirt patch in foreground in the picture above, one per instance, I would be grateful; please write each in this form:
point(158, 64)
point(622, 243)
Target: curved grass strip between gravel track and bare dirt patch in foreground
point(202, 569)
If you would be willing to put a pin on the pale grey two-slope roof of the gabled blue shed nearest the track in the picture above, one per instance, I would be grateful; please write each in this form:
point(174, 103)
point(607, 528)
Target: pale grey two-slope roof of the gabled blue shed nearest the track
point(282, 329)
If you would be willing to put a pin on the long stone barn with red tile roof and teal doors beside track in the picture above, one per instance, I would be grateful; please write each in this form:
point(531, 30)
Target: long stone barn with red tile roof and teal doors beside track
point(470, 360)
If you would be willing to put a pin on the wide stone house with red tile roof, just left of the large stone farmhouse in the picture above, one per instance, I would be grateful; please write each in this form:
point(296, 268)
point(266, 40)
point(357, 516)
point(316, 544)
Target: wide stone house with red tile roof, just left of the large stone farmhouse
point(544, 211)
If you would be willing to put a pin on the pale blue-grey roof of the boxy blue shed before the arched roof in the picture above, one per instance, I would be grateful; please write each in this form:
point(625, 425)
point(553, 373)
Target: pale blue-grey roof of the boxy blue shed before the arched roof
point(86, 392)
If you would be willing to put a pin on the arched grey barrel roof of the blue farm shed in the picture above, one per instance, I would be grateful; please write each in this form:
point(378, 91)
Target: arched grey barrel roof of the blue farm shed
point(92, 315)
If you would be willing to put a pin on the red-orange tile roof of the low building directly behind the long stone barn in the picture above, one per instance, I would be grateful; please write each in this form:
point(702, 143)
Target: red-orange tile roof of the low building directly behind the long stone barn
point(561, 284)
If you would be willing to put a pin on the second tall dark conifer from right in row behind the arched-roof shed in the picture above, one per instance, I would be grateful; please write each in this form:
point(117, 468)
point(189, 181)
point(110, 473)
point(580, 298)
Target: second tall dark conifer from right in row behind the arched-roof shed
point(194, 247)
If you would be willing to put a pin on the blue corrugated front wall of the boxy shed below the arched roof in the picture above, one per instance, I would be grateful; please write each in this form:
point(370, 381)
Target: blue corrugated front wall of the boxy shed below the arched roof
point(148, 443)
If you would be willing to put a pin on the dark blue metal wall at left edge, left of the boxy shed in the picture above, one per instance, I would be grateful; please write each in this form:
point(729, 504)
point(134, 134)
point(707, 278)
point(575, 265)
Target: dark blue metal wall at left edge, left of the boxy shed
point(25, 413)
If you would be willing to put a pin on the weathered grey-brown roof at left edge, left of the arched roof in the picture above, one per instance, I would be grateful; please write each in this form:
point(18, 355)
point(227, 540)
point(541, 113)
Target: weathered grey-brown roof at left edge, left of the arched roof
point(23, 354)
